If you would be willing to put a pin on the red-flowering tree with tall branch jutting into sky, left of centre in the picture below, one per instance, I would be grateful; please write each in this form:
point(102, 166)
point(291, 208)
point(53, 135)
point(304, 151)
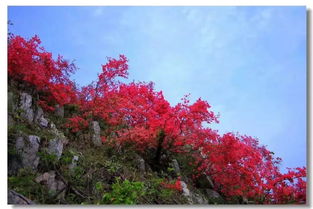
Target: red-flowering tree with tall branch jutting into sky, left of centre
point(97, 100)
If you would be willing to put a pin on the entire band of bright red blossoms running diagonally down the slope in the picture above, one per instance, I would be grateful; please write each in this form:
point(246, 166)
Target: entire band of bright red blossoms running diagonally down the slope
point(137, 115)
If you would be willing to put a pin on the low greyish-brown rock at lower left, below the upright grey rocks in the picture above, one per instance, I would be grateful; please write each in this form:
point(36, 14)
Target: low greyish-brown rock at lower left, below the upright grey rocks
point(49, 179)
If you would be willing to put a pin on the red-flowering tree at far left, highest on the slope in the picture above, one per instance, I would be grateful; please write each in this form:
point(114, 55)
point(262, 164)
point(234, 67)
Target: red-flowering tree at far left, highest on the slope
point(30, 64)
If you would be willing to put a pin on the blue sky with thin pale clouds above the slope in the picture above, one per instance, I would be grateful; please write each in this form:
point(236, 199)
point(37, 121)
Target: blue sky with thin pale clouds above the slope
point(249, 63)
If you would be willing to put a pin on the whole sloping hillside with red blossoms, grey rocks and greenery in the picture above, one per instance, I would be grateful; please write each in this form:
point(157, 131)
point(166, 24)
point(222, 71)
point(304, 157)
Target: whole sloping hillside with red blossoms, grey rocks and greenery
point(116, 143)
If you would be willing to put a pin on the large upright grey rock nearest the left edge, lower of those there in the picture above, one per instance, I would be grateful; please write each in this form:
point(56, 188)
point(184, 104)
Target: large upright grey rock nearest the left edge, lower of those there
point(28, 147)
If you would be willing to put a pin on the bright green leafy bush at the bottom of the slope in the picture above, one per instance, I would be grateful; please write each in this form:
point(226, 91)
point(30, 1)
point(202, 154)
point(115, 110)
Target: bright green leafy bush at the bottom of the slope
point(125, 192)
